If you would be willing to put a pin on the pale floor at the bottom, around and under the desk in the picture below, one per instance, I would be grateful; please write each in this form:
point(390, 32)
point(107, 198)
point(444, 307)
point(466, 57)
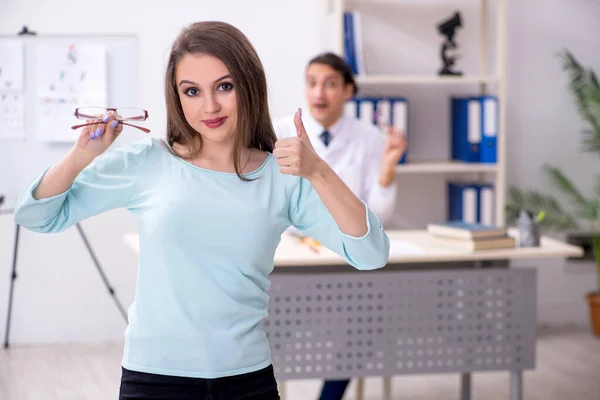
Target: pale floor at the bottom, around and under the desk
point(568, 368)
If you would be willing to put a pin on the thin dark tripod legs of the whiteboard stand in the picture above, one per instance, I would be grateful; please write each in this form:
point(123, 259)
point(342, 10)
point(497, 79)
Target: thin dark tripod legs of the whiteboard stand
point(13, 274)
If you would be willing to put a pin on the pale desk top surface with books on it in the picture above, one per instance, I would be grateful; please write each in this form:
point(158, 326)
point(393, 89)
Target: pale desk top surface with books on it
point(409, 246)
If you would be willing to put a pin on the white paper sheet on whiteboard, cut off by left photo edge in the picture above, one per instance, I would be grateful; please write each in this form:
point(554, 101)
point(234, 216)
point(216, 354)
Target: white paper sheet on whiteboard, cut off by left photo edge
point(11, 90)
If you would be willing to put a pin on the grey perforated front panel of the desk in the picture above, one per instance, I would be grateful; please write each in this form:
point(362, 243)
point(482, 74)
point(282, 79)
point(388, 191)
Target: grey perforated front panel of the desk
point(335, 325)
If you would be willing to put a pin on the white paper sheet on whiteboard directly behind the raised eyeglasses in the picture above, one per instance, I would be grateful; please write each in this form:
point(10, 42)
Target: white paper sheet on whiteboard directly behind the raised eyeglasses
point(67, 77)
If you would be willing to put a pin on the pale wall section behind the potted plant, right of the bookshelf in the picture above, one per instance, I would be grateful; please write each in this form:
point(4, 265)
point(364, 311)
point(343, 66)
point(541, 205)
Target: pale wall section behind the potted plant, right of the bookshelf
point(544, 127)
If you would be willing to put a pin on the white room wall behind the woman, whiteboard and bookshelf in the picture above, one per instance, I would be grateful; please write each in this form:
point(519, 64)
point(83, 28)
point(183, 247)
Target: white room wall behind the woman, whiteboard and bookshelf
point(59, 295)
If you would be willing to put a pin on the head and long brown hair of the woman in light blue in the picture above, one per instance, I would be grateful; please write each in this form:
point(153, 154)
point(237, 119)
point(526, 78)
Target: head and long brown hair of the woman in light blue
point(209, 85)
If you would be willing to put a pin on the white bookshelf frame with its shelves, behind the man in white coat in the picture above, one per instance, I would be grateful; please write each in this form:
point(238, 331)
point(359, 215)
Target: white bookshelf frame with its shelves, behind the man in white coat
point(482, 80)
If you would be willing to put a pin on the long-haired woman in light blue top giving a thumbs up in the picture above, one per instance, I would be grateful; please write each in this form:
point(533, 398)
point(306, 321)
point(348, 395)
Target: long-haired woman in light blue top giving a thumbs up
point(212, 201)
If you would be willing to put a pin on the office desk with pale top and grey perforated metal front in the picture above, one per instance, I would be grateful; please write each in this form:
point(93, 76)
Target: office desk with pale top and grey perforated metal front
point(430, 310)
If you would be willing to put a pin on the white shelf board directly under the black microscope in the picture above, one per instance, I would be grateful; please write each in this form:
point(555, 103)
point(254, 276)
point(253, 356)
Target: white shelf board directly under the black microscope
point(425, 79)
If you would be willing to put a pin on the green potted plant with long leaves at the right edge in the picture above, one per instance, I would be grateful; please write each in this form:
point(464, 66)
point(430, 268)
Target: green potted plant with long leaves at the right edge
point(583, 85)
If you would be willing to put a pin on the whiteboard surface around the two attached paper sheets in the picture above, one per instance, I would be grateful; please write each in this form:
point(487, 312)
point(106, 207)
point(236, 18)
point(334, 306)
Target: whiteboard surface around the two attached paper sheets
point(23, 157)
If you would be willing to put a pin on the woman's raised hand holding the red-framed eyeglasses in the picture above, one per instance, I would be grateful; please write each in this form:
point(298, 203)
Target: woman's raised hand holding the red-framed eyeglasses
point(95, 139)
